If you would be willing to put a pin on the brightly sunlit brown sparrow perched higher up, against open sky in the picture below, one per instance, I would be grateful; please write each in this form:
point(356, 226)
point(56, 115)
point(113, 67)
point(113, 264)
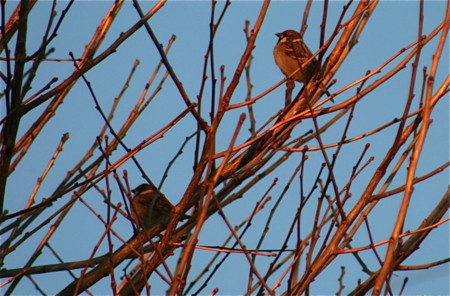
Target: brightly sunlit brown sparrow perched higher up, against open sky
point(291, 53)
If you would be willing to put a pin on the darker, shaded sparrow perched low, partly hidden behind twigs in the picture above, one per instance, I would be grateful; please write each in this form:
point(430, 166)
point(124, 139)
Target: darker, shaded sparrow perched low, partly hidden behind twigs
point(149, 206)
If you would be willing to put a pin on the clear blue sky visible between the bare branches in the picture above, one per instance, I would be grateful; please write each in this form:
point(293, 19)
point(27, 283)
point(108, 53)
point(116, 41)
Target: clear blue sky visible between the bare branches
point(392, 27)
